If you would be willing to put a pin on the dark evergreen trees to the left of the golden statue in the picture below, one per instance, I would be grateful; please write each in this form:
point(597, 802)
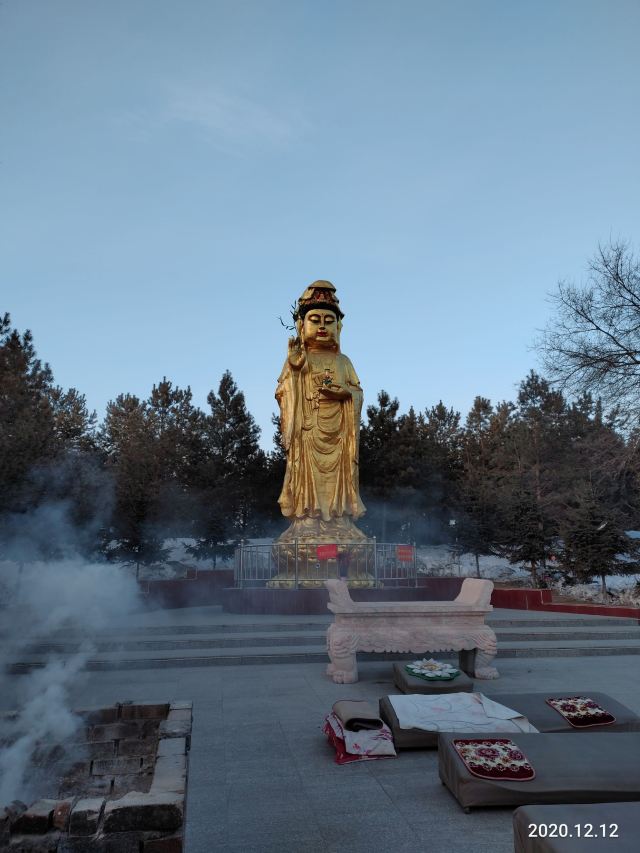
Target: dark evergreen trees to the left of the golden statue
point(153, 469)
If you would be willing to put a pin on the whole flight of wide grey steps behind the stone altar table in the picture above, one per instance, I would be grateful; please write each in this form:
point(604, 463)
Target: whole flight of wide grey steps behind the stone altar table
point(208, 637)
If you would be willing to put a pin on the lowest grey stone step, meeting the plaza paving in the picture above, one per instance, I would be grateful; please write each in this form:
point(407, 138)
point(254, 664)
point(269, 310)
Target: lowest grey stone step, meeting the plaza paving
point(310, 654)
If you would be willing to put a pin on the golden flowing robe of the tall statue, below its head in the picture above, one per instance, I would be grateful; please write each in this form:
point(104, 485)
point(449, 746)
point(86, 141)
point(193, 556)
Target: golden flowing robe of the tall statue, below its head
point(321, 439)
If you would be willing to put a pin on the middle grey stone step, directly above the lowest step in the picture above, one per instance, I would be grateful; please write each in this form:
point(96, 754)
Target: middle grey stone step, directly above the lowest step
point(313, 637)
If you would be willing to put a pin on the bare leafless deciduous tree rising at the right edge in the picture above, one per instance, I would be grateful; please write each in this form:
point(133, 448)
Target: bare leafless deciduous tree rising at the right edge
point(593, 342)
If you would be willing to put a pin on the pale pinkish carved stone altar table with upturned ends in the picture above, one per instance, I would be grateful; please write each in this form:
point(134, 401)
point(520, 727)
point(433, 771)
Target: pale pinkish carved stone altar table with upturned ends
point(411, 626)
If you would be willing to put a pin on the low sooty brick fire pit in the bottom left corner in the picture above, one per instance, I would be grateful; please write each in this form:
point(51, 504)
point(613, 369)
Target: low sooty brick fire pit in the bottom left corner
point(123, 789)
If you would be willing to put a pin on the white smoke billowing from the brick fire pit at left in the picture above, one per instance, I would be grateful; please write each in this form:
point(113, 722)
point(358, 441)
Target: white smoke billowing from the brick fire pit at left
point(39, 599)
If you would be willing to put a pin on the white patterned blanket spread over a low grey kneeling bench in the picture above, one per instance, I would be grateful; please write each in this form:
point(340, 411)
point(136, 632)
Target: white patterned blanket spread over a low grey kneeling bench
point(457, 712)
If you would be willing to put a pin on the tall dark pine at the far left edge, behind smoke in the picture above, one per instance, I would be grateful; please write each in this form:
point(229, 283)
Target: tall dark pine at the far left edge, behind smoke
point(48, 456)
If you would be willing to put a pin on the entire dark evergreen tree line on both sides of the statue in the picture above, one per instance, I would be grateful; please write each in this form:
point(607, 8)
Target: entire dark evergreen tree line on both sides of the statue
point(543, 479)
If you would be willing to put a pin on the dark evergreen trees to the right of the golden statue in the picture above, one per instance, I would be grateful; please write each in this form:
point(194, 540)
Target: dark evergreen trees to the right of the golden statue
point(545, 481)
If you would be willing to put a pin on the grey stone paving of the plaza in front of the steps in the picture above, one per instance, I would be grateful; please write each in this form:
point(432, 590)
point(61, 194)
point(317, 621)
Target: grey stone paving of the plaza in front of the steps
point(262, 777)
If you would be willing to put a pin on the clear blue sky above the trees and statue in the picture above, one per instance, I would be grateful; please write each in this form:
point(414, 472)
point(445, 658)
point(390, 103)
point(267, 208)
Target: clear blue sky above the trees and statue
point(174, 173)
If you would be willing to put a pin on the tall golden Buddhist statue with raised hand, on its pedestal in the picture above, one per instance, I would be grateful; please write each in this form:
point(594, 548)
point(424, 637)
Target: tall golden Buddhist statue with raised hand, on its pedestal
point(320, 401)
